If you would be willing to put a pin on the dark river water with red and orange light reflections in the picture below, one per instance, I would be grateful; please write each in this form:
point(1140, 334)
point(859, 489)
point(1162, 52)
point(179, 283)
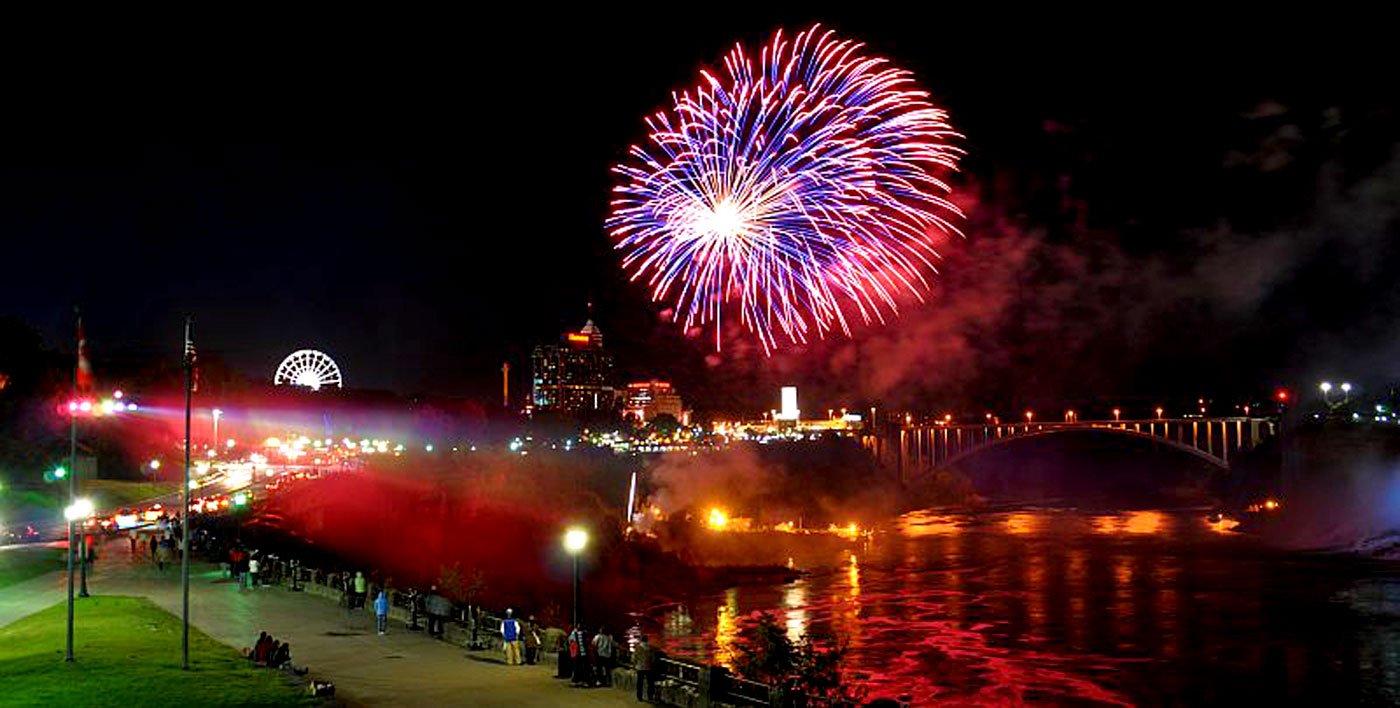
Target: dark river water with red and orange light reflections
point(1074, 608)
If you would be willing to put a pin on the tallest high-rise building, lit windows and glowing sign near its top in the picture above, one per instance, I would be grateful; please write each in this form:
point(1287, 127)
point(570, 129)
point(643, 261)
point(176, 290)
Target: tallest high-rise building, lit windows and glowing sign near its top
point(575, 377)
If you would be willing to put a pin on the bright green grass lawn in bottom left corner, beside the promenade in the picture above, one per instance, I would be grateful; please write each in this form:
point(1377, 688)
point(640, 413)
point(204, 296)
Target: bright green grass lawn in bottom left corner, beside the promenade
point(128, 656)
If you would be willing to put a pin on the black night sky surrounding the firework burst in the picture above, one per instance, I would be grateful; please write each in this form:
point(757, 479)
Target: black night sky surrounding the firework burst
point(423, 198)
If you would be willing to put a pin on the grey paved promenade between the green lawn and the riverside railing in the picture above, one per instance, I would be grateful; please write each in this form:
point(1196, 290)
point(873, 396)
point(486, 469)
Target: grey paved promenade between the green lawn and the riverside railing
point(398, 670)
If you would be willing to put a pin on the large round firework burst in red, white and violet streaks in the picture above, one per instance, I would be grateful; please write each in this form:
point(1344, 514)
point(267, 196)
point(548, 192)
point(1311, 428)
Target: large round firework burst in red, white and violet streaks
point(806, 187)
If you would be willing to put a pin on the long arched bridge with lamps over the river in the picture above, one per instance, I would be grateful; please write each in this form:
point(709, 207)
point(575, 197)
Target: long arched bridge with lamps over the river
point(916, 450)
